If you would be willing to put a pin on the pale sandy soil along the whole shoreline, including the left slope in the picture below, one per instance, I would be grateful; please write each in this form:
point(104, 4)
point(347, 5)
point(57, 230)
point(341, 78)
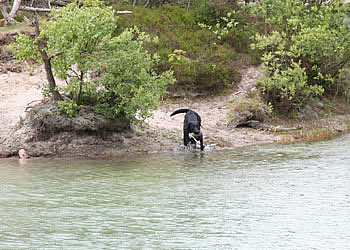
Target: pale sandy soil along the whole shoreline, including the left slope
point(161, 133)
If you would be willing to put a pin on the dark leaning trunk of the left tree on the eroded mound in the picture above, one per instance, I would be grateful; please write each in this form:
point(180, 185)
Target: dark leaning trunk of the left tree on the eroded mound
point(47, 63)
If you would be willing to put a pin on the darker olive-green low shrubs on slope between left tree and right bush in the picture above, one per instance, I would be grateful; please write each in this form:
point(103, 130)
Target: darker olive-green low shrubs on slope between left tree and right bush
point(204, 66)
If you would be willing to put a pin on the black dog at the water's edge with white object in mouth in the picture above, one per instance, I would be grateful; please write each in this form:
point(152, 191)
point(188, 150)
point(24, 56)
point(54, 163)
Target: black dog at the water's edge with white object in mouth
point(192, 127)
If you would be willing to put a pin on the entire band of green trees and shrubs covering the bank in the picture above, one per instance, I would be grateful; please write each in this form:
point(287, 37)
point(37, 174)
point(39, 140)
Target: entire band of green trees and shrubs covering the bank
point(302, 45)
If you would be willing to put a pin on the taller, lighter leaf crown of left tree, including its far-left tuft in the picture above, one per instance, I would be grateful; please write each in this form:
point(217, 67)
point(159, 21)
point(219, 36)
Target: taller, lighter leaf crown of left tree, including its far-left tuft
point(71, 37)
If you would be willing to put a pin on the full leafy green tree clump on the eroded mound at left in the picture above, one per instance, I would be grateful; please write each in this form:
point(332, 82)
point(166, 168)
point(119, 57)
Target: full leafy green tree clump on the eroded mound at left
point(79, 42)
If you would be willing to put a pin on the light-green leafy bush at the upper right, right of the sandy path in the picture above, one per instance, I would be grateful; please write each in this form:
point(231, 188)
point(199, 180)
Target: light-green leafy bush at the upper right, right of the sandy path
point(304, 47)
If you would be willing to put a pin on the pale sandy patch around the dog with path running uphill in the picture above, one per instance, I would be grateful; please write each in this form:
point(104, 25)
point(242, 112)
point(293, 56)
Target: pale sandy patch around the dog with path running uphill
point(213, 112)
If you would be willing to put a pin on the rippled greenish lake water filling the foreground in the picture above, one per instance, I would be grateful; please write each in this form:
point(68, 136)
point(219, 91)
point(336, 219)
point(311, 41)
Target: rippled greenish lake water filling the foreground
point(267, 197)
